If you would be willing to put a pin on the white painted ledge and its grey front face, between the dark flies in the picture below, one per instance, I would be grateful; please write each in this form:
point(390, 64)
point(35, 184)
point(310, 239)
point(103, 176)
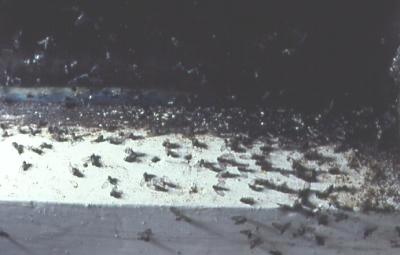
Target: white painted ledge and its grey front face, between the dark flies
point(48, 210)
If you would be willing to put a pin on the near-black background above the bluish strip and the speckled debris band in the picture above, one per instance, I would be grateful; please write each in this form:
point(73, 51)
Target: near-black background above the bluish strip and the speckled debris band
point(305, 54)
